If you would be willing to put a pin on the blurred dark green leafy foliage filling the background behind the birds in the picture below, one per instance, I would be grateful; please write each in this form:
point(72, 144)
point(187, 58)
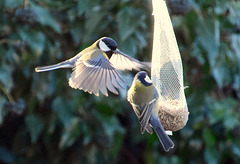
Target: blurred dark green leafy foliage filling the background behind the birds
point(43, 120)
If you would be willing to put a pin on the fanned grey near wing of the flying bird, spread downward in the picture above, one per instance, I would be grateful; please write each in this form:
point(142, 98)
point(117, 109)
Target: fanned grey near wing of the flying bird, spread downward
point(94, 75)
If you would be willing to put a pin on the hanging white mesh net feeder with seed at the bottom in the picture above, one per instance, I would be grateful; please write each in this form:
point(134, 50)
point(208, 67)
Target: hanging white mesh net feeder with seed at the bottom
point(167, 71)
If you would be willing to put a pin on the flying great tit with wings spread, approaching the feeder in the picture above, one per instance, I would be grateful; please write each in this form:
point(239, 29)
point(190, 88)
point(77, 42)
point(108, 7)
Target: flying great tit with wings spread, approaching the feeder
point(95, 68)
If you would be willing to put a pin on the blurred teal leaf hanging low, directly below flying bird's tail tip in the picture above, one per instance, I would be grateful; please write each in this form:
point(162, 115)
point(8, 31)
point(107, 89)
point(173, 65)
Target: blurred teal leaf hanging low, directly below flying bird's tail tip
point(34, 125)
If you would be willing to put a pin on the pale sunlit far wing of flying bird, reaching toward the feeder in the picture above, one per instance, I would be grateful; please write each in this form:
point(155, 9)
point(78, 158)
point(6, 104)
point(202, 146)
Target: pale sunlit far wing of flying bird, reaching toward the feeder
point(124, 62)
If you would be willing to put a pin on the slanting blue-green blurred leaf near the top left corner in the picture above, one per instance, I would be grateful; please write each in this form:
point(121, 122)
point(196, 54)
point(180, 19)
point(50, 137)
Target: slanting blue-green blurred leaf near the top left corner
point(44, 17)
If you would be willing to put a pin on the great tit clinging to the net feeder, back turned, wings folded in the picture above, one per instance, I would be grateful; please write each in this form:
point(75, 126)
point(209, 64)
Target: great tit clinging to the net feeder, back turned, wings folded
point(144, 98)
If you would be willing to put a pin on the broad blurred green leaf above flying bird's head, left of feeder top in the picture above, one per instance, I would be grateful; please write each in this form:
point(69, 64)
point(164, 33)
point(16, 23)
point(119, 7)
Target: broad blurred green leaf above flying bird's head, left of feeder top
point(128, 20)
